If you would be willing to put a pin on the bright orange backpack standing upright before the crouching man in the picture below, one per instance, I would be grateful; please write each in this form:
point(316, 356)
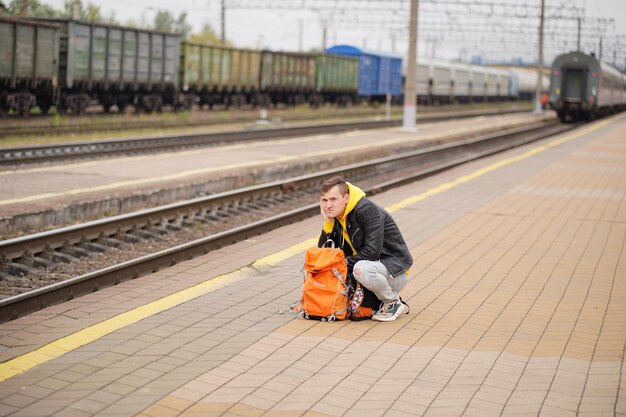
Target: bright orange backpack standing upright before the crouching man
point(325, 290)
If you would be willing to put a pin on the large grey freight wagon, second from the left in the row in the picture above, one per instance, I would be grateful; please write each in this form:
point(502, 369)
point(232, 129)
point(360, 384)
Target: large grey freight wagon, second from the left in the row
point(116, 66)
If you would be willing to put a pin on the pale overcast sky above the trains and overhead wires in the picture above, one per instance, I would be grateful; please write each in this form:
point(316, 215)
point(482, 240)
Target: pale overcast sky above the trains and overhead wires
point(295, 30)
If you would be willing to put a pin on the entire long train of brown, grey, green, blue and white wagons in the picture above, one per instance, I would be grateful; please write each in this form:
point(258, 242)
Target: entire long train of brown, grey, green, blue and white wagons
point(73, 64)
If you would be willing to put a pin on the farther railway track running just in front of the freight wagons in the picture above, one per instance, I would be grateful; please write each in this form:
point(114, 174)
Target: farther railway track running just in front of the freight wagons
point(49, 153)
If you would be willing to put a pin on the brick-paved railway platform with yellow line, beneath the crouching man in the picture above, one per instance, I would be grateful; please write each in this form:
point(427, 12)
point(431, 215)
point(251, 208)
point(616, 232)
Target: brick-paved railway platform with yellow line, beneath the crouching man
point(517, 296)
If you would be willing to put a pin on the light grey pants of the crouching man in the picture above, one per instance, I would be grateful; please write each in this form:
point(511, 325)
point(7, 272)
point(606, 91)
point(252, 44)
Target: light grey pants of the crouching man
point(374, 276)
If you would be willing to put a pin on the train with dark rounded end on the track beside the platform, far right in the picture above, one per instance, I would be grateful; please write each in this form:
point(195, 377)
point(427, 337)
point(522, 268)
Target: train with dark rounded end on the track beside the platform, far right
point(583, 88)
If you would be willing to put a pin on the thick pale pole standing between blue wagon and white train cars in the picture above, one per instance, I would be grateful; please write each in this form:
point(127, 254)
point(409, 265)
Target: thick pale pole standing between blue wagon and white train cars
point(410, 89)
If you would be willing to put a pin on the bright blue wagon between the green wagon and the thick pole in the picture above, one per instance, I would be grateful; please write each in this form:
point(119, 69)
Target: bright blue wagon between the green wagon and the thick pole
point(380, 73)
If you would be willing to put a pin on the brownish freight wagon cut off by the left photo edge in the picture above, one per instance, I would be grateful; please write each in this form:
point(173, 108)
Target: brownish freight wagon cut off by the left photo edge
point(29, 53)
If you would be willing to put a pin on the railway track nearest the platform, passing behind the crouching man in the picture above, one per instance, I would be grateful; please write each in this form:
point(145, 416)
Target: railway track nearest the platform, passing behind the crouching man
point(277, 203)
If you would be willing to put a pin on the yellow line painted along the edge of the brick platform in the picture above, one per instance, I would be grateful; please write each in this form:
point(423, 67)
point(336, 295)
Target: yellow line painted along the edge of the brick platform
point(80, 338)
